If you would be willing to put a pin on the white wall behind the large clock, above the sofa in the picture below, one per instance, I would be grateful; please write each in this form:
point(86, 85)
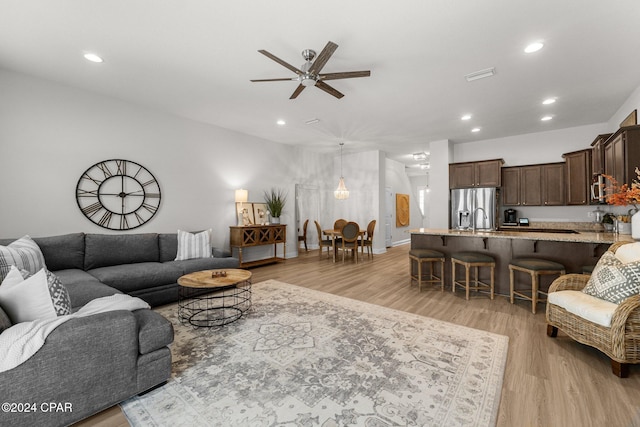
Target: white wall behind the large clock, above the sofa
point(50, 134)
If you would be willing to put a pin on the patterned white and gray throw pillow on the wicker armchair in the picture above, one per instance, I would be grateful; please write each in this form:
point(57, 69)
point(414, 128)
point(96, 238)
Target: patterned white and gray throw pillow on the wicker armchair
point(612, 280)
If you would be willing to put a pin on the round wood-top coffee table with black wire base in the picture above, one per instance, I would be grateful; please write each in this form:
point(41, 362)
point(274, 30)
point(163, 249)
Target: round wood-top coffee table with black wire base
point(212, 298)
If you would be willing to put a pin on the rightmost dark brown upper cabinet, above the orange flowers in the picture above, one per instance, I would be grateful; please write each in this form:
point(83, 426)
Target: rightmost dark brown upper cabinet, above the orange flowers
point(622, 154)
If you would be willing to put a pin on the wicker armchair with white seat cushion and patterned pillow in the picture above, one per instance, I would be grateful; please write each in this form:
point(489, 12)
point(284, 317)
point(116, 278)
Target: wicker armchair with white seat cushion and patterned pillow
point(611, 327)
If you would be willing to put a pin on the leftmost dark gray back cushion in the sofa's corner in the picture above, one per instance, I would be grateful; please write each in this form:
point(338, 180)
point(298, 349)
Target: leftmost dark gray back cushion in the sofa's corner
point(62, 252)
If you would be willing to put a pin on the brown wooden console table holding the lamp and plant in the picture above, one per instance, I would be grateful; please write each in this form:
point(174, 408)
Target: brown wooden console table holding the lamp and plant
point(259, 235)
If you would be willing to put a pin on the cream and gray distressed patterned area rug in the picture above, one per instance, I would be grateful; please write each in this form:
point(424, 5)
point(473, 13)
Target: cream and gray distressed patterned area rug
point(307, 358)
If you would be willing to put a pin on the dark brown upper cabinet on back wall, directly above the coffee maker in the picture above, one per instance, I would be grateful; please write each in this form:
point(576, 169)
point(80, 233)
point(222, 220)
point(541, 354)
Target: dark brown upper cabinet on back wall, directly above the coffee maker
point(533, 185)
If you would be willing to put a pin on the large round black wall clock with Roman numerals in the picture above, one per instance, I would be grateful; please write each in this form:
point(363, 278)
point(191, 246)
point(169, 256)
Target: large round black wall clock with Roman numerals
point(118, 194)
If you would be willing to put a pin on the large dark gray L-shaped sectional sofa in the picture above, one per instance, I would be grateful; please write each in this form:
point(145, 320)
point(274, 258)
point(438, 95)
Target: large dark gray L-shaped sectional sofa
point(94, 362)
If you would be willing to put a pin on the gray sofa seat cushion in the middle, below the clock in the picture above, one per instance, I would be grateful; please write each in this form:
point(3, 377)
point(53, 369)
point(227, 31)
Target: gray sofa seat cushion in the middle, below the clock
point(131, 277)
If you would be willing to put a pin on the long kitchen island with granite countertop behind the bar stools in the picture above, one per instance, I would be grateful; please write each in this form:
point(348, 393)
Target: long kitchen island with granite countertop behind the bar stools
point(573, 249)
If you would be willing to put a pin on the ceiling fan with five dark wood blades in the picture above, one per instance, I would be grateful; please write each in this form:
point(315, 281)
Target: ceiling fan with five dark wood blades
point(309, 73)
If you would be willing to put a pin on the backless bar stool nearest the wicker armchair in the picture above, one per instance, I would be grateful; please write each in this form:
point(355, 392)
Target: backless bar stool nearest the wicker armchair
point(535, 267)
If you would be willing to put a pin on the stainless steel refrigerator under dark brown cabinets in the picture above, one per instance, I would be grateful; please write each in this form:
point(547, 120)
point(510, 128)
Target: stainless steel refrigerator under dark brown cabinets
point(474, 208)
